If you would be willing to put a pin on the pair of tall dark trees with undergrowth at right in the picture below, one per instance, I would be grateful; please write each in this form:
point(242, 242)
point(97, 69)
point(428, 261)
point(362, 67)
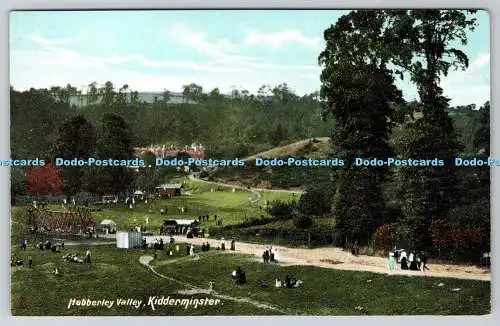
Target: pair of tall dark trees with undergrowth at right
point(365, 51)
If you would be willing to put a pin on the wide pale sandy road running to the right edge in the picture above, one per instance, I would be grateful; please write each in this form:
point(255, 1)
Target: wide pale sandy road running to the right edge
point(336, 258)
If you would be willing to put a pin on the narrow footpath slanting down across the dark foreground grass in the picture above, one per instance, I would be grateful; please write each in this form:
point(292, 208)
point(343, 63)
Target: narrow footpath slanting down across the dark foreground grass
point(146, 260)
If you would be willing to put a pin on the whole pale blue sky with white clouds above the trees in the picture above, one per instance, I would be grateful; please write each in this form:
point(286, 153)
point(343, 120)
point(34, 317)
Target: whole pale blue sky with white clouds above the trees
point(157, 50)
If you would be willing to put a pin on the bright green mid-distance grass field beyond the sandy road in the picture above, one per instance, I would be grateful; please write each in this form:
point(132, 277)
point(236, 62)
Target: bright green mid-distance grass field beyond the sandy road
point(231, 208)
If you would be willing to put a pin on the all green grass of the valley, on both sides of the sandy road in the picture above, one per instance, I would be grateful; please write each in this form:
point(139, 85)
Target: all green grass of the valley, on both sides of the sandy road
point(117, 273)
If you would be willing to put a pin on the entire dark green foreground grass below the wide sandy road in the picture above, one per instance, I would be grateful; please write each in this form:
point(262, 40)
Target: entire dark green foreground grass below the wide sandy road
point(116, 273)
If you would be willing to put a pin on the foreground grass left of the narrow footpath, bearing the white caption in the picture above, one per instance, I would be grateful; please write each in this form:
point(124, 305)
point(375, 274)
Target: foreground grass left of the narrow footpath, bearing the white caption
point(114, 274)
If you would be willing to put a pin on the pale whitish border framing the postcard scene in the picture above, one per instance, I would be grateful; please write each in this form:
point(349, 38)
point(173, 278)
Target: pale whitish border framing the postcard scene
point(6, 5)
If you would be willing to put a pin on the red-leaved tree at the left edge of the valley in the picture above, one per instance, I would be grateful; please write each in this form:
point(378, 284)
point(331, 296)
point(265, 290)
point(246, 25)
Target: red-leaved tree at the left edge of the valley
point(45, 180)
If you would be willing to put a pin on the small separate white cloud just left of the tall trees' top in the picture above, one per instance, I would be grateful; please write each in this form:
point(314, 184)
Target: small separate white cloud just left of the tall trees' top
point(279, 39)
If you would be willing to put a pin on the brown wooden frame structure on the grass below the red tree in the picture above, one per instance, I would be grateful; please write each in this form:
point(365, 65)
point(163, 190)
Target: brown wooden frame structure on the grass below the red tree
point(42, 221)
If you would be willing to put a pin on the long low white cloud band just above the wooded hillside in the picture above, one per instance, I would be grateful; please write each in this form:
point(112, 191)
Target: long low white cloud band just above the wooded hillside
point(52, 64)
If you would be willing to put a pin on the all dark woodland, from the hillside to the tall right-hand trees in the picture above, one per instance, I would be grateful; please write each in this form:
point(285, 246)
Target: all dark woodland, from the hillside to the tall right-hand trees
point(358, 106)
